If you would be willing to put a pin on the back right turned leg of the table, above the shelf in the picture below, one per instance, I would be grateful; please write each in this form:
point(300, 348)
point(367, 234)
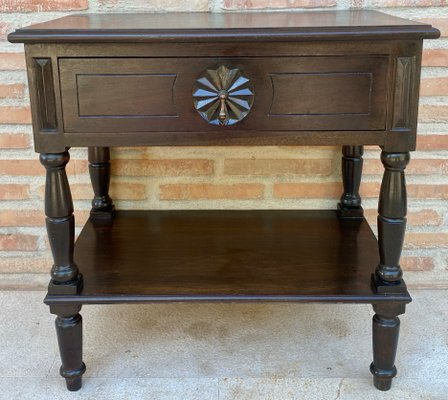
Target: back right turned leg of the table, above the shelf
point(350, 203)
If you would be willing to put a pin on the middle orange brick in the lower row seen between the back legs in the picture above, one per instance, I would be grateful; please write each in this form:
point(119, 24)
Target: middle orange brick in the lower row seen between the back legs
point(241, 191)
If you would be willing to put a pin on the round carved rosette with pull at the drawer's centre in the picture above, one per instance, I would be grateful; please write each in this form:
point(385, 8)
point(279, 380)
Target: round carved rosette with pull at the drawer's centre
point(223, 96)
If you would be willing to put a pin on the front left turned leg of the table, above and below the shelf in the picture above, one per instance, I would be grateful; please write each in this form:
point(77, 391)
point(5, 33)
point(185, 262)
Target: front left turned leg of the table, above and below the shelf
point(65, 278)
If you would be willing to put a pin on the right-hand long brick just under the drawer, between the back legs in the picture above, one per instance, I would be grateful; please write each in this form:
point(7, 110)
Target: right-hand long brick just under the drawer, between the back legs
point(277, 167)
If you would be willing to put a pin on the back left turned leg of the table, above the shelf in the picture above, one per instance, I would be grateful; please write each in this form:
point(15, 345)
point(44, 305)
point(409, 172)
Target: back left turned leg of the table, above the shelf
point(99, 169)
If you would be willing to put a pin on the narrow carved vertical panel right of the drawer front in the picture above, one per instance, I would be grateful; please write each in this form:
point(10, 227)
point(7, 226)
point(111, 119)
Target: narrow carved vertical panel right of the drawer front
point(404, 93)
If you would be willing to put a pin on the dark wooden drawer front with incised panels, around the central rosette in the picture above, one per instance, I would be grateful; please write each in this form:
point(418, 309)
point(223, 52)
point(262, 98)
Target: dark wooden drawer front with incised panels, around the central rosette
point(302, 93)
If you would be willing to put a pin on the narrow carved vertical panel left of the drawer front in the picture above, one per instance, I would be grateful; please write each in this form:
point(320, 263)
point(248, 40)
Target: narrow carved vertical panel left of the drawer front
point(45, 94)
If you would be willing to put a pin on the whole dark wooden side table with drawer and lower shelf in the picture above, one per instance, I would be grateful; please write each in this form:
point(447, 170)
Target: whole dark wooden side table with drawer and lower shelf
point(348, 78)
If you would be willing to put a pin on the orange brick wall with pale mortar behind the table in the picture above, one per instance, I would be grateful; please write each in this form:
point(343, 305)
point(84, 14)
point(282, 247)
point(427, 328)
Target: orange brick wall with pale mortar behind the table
point(255, 177)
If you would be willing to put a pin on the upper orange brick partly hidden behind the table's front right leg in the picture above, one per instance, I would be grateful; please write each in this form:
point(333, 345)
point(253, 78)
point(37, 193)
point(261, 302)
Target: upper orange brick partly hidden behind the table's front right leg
point(415, 167)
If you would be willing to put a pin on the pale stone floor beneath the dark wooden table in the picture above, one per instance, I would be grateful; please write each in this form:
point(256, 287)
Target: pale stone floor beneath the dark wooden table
point(223, 351)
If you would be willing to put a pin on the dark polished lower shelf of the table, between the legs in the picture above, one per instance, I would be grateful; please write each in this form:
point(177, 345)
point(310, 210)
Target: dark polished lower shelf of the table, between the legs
point(226, 256)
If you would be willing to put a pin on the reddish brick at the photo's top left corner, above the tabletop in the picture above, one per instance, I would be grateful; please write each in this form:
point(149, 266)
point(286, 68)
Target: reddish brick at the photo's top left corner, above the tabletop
point(42, 5)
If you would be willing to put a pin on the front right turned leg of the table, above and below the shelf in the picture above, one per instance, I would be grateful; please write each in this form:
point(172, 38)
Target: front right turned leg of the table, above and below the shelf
point(387, 278)
